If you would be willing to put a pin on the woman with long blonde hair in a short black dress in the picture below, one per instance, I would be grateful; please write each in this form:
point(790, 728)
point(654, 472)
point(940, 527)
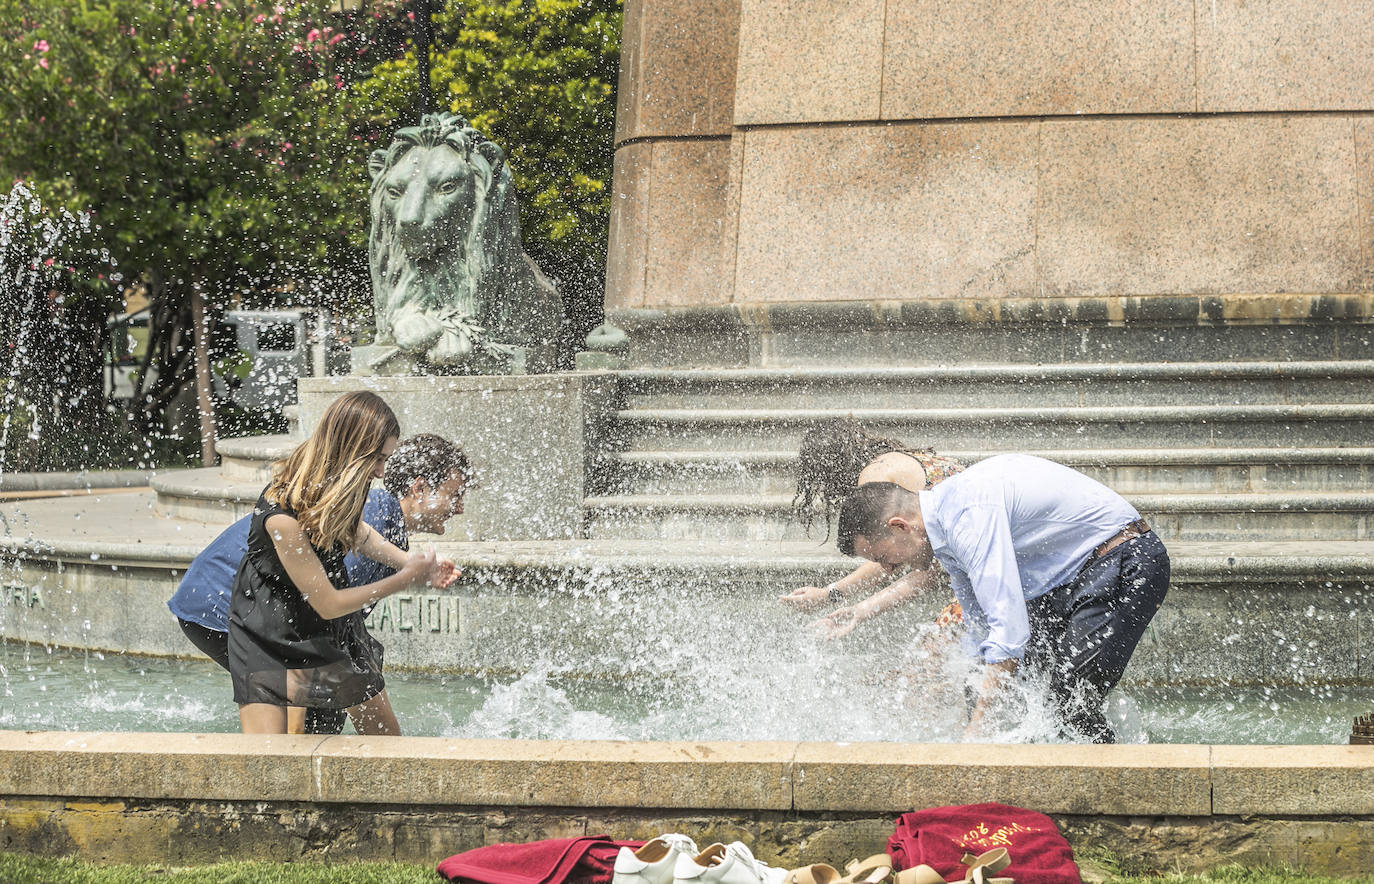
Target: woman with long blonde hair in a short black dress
point(297, 634)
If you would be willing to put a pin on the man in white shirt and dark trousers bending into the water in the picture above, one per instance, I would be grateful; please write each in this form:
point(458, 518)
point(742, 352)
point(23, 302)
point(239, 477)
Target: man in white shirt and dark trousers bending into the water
point(1057, 574)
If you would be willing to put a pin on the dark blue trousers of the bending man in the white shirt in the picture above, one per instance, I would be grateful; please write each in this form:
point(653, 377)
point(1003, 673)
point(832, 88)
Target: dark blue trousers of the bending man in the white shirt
point(1083, 633)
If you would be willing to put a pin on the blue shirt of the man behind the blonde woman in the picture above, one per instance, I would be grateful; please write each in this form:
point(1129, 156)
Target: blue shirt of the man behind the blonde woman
point(204, 595)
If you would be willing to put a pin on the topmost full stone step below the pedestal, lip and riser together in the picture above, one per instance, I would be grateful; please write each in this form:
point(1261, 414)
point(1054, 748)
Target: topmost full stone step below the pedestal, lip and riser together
point(983, 387)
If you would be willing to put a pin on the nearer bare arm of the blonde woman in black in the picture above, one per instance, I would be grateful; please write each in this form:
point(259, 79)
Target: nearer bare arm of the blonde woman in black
point(306, 571)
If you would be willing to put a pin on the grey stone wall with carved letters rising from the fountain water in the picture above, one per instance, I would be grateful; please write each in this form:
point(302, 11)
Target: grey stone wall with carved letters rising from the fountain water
point(1295, 615)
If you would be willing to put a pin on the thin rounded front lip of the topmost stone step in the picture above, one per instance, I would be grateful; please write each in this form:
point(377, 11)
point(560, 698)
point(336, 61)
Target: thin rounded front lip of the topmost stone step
point(641, 380)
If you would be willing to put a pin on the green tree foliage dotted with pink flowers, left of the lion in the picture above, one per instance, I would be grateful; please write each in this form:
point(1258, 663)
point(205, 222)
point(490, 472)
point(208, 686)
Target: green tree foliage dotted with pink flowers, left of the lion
point(197, 131)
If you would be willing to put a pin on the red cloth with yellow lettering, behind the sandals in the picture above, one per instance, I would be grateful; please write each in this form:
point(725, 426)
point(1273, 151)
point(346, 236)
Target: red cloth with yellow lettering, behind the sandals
point(941, 837)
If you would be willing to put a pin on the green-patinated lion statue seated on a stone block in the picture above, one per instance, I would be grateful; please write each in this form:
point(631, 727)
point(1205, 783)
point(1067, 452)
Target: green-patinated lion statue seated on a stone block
point(451, 283)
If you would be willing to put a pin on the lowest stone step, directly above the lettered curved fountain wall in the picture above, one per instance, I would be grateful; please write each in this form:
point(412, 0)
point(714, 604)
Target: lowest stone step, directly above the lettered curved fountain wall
point(1211, 518)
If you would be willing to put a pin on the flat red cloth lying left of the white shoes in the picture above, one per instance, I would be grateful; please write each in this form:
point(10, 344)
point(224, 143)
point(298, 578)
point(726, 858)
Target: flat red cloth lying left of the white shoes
point(587, 860)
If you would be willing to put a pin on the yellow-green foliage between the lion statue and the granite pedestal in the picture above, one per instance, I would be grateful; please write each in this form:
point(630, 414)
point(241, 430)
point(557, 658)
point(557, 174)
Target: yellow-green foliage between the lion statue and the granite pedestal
point(539, 79)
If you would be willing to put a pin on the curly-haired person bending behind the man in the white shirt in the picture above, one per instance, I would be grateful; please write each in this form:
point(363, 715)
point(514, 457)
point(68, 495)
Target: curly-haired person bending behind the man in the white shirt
point(836, 457)
